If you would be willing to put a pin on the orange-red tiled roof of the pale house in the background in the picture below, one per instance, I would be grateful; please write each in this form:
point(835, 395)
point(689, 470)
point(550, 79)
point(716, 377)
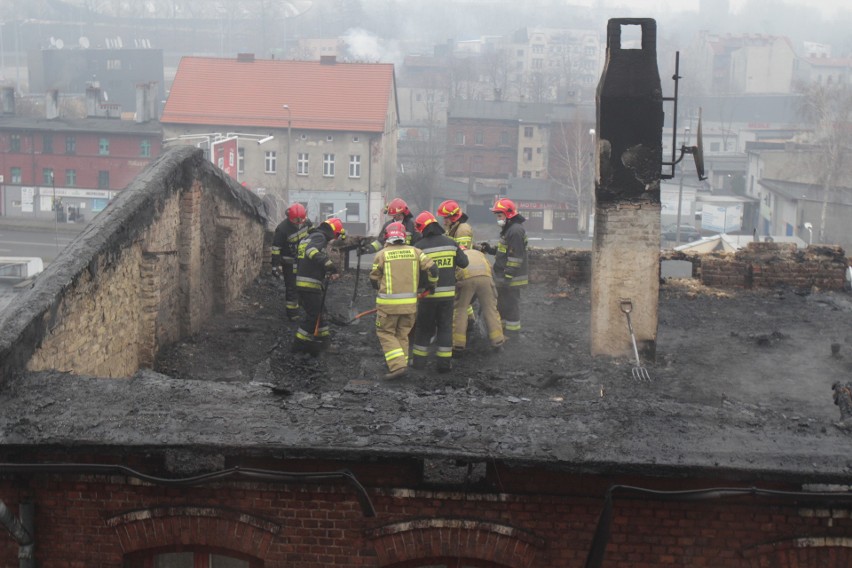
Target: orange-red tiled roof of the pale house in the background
point(227, 92)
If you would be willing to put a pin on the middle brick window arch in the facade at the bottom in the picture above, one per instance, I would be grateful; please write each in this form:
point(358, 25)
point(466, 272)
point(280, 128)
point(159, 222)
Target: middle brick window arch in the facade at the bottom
point(454, 543)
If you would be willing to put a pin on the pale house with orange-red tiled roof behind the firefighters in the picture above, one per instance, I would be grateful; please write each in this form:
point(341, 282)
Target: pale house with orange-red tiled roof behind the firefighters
point(322, 133)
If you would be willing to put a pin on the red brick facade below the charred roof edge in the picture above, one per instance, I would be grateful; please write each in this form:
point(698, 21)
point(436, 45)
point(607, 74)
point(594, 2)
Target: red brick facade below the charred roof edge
point(518, 519)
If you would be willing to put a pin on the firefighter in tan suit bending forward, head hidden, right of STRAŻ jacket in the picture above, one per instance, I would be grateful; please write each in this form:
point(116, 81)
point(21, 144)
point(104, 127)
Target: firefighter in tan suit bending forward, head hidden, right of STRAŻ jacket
point(476, 280)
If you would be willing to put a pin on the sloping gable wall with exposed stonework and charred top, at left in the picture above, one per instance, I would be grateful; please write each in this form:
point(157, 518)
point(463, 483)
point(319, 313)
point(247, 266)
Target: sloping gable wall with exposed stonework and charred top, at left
point(178, 244)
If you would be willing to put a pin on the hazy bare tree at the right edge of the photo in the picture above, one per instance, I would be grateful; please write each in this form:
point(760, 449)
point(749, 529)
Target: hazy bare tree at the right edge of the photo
point(829, 108)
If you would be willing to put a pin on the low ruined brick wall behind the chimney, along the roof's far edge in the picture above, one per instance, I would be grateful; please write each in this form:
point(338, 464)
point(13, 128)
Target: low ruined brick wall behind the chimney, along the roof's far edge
point(759, 265)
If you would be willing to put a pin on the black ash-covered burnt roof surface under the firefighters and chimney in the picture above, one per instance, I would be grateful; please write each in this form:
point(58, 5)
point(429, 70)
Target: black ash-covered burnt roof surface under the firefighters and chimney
point(742, 382)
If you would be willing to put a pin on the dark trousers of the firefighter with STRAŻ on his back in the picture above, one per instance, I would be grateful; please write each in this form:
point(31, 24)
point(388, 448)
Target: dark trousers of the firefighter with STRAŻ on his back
point(434, 319)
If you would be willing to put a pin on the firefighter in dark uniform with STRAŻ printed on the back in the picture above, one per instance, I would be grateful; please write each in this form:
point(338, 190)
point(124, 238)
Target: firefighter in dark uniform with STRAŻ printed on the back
point(435, 311)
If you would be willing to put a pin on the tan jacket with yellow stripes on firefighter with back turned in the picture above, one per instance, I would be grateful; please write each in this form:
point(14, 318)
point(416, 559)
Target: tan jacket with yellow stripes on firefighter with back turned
point(395, 274)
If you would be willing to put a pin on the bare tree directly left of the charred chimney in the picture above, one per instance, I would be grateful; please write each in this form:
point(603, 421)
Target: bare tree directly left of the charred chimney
point(570, 164)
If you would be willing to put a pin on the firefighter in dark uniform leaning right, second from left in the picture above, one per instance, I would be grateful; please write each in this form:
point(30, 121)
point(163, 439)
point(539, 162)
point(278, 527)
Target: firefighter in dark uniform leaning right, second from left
point(315, 271)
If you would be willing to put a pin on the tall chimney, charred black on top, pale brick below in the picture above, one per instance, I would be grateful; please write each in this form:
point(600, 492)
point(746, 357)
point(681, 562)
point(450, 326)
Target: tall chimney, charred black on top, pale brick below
point(626, 246)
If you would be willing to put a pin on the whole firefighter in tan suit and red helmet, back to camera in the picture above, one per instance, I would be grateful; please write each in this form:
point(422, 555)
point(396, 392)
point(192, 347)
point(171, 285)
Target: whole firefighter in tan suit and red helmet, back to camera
point(395, 275)
